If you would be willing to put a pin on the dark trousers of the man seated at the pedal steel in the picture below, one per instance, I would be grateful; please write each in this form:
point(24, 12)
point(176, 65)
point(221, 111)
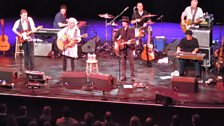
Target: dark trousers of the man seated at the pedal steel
point(182, 66)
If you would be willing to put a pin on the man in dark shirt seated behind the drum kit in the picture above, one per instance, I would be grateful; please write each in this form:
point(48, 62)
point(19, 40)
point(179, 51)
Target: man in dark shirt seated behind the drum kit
point(141, 19)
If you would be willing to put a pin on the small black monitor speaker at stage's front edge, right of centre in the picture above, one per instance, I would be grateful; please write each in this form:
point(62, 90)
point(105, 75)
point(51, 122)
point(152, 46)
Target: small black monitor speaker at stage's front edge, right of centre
point(164, 100)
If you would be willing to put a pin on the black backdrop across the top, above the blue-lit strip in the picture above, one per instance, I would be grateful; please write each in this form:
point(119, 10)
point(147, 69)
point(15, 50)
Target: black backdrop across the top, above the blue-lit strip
point(89, 9)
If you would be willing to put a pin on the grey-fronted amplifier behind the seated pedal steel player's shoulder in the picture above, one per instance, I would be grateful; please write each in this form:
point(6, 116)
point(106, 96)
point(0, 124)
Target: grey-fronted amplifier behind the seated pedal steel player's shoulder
point(204, 36)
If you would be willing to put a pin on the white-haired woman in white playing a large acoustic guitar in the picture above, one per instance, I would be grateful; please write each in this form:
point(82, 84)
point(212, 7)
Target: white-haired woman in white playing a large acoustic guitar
point(70, 35)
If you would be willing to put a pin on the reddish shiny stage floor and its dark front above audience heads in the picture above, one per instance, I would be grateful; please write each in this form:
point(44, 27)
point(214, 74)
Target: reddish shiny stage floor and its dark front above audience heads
point(123, 101)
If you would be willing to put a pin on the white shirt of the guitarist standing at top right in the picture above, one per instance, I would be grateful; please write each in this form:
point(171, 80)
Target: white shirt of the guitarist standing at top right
point(188, 12)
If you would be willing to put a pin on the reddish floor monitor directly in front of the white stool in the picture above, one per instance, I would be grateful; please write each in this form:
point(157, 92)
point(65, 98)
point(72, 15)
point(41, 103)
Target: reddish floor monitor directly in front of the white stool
point(103, 82)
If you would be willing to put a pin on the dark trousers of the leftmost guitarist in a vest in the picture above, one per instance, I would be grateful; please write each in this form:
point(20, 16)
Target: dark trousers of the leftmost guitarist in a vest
point(28, 48)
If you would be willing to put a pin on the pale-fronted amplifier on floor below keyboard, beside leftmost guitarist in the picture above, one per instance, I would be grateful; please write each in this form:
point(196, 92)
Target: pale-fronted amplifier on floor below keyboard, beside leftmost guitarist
point(42, 49)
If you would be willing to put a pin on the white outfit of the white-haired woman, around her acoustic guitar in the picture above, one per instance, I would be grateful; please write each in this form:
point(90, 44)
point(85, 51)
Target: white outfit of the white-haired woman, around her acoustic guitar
point(73, 33)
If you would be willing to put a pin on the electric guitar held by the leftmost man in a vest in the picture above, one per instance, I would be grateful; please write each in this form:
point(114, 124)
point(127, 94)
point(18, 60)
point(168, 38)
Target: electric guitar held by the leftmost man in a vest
point(26, 34)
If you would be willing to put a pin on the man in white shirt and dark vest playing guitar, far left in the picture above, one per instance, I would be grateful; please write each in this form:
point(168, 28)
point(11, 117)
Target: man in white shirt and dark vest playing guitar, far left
point(23, 28)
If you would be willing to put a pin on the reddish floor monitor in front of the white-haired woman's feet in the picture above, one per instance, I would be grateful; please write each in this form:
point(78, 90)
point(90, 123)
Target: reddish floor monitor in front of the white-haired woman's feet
point(74, 79)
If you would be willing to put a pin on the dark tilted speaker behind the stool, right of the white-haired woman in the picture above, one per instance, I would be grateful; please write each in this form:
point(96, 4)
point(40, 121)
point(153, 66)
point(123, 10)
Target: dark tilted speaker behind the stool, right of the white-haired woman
point(89, 47)
